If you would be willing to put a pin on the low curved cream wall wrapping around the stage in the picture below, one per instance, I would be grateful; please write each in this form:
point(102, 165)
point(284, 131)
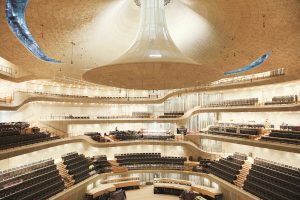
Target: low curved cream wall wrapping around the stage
point(230, 192)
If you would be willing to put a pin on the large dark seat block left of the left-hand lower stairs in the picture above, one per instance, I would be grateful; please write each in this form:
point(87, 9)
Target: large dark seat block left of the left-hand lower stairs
point(39, 180)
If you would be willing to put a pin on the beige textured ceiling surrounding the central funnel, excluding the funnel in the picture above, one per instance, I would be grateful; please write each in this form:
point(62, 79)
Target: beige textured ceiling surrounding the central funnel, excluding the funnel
point(223, 34)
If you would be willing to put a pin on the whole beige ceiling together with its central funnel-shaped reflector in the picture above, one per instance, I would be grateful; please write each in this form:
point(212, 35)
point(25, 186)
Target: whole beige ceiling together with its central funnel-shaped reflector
point(121, 43)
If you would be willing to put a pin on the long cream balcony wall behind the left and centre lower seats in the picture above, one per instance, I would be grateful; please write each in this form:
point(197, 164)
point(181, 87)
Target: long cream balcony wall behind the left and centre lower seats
point(88, 147)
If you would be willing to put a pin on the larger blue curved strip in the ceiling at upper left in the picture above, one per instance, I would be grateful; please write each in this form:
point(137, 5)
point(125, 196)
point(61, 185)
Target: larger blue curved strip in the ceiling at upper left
point(15, 16)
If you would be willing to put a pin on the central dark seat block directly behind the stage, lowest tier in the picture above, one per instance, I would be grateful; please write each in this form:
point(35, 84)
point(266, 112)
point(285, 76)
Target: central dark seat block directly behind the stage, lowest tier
point(148, 160)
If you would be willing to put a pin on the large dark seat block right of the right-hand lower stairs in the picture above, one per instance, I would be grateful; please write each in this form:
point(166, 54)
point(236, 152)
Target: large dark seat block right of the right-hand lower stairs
point(273, 181)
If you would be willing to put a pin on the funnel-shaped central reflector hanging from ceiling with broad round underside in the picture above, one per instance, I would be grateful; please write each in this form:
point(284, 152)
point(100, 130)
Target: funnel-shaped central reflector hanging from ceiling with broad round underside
point(153, 61)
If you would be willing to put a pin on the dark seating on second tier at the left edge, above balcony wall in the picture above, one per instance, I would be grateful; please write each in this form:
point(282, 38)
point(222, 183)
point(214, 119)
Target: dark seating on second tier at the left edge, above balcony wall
point(15, 134)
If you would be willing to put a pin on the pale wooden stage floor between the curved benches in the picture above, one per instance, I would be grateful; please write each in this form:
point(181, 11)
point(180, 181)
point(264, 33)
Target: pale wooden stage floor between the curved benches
point(146, 193)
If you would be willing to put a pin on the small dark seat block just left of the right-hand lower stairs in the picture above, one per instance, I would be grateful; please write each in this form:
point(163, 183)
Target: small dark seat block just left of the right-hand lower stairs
point(228, 168)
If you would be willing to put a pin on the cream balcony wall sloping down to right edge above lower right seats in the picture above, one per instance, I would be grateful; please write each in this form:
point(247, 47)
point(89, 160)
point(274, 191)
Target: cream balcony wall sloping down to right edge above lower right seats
point(271, 151)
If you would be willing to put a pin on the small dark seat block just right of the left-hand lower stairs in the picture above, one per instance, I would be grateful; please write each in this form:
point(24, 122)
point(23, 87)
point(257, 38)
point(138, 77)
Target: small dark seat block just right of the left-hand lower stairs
point(78, 165)
